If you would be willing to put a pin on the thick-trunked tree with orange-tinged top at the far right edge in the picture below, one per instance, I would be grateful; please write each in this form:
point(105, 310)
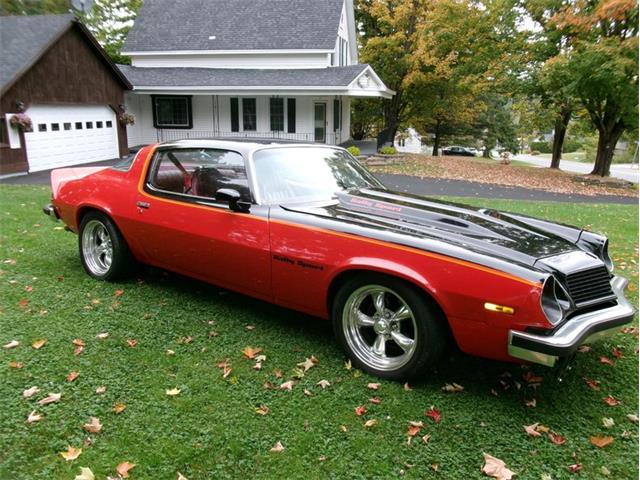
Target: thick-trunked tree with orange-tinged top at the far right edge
point(604, 65)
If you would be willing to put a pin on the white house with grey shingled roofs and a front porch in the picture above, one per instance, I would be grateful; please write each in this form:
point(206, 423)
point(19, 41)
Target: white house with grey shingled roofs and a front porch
point(245, 68)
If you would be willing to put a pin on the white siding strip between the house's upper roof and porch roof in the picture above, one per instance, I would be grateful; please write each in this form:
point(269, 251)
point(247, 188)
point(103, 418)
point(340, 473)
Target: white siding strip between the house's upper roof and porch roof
point(264, 60)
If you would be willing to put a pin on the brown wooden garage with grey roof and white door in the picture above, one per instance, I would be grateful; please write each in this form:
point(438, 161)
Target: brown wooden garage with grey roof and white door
point(66, 89)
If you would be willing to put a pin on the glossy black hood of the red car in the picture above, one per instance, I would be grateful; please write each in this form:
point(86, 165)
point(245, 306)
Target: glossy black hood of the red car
point(497, 234)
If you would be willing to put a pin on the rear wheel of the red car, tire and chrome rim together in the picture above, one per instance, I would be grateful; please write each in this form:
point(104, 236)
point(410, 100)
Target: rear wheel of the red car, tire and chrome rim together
point(104, 252)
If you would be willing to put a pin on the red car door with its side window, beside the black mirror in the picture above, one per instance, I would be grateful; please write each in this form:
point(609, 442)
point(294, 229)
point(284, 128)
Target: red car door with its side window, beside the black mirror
point(182, 227)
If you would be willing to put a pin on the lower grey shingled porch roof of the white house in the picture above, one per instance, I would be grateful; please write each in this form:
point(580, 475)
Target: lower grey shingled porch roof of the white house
point(240, 77)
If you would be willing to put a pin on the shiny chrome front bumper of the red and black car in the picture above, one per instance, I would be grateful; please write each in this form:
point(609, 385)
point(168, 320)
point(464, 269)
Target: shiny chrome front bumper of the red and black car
point(584, 328)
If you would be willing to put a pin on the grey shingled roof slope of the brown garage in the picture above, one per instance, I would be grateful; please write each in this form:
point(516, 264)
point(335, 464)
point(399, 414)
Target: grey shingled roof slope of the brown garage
point(23, 39)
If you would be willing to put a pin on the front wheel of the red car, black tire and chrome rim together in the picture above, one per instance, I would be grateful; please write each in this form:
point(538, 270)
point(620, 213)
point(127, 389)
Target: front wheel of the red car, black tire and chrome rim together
point(387, 327)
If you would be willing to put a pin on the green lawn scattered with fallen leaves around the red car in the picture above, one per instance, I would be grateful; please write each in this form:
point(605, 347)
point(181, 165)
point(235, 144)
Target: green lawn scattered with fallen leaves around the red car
point(212, 430)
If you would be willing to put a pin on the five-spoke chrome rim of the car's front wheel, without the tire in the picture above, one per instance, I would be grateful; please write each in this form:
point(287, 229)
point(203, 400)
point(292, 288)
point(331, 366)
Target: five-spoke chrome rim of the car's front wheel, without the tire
point(379, 327)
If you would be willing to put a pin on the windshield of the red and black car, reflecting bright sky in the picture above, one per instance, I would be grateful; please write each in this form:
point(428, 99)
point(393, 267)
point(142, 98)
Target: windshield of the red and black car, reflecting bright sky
point(295, 174)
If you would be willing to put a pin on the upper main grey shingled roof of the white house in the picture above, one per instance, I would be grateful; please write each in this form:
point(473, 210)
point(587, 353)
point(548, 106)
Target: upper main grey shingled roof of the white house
point(164, 25)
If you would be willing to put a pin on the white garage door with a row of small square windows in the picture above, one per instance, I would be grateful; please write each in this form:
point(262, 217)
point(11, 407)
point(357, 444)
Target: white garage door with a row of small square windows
point(70, 135)
